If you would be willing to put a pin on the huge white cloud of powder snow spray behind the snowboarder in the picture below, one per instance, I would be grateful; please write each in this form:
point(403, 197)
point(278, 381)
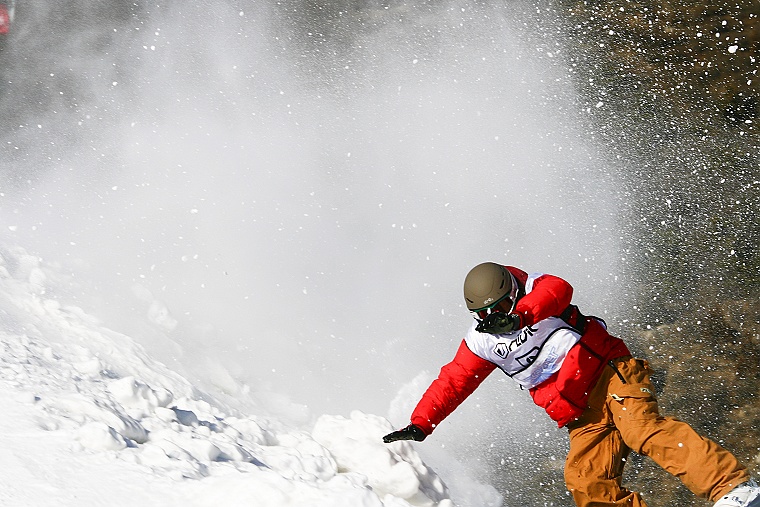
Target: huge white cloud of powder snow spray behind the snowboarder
point(292, 205)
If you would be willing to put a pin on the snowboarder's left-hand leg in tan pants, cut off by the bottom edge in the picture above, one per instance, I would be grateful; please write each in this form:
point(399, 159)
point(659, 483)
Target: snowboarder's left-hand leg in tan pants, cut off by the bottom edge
point(594, 465)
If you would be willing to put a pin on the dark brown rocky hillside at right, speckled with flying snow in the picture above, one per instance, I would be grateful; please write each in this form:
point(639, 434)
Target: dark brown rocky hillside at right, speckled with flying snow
point(682, 93)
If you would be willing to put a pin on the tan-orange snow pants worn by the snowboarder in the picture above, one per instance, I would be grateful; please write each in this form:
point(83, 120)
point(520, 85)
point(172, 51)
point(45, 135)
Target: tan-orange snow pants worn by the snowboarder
point(623, 416)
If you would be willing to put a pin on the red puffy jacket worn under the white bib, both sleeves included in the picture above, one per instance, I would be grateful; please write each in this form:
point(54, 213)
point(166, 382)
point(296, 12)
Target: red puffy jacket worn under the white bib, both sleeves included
point(565, 394)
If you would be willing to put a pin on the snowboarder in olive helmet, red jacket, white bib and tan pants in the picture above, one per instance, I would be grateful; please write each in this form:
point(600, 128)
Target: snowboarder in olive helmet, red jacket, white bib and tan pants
point(586, 380)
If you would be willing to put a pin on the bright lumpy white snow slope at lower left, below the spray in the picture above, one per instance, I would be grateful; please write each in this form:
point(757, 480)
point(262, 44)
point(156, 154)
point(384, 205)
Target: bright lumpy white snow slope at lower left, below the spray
point(90, 419)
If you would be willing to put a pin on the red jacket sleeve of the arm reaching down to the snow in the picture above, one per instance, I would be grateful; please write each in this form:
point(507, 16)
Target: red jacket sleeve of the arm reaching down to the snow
point(456, 381)
